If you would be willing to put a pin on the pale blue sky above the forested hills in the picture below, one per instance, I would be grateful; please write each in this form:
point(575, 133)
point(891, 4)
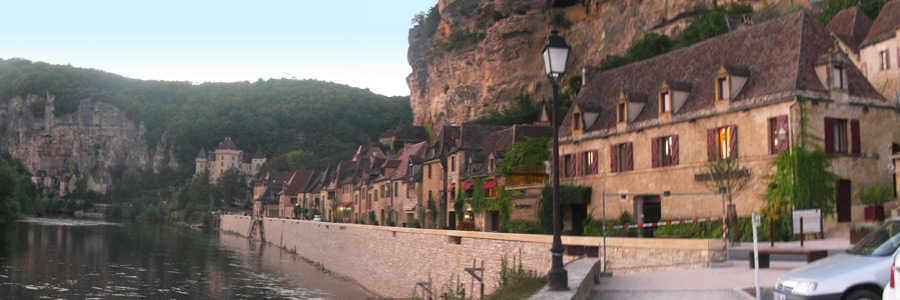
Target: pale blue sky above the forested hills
point(355, 42)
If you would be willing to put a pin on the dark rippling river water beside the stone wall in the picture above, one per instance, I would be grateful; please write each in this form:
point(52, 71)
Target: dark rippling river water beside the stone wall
point(86, 259)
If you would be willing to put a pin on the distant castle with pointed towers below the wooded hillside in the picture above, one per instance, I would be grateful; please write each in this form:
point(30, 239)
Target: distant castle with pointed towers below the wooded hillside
point(228, 156)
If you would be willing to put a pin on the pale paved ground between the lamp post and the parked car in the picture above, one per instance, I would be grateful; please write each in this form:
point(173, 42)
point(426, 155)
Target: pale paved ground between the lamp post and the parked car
point(710, 283)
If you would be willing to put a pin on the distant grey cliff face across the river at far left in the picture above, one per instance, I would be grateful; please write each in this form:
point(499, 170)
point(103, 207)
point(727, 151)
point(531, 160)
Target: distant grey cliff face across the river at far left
point(83, 145)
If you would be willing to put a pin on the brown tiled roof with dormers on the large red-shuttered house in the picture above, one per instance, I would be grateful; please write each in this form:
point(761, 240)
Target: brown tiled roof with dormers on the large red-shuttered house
point(780, 56)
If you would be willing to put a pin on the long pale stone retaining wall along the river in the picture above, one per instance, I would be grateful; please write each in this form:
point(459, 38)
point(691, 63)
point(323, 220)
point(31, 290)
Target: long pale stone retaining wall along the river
point(390, 261)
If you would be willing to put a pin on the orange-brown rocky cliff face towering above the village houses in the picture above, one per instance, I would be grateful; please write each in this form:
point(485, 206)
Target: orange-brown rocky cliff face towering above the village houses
point(450, 87)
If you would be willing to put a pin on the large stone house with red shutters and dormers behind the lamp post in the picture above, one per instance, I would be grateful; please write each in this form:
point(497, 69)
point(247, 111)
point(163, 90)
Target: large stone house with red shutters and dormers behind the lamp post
point(648, 128)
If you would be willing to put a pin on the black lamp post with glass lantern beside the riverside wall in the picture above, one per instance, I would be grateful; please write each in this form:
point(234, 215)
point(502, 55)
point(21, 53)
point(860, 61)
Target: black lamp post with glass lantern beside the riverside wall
point(556, 54)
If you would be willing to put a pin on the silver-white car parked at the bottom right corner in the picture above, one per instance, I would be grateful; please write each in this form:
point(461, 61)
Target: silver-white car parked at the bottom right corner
point(858, 274)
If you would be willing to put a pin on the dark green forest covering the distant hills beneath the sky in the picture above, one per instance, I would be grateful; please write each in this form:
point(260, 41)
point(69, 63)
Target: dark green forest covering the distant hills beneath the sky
point(275, 115)
